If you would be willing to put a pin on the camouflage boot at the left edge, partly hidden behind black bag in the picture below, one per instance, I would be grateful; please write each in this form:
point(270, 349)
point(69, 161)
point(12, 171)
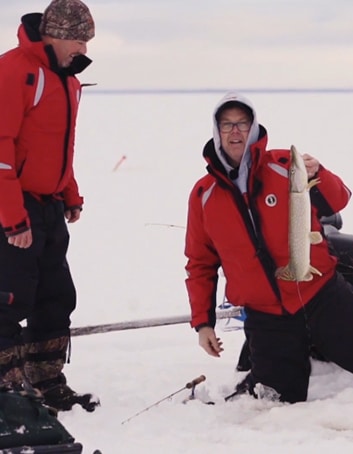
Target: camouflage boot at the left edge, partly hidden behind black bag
point(11, 372)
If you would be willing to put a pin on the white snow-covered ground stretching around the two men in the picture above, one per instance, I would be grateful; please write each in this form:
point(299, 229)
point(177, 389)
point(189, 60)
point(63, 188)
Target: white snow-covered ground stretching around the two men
point(127, 260)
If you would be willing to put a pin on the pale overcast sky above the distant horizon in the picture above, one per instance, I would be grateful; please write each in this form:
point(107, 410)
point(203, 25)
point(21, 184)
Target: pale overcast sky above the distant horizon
point(208, 43)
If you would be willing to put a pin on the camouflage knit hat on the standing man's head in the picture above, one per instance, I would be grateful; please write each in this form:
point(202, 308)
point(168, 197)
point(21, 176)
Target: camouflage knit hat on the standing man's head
point(67, 19)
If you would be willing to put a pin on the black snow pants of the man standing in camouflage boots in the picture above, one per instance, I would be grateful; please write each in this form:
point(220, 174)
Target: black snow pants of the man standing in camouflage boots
point(39, 277)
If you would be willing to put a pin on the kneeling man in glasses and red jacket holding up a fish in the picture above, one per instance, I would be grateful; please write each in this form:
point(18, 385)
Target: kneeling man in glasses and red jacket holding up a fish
point(238, 219)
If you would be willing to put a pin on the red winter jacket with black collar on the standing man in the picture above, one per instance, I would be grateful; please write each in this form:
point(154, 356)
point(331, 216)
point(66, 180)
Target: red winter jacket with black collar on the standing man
point(37, 128)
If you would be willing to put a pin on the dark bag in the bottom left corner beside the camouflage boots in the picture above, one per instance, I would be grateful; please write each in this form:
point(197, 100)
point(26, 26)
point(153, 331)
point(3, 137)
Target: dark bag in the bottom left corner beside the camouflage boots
point(25, 421)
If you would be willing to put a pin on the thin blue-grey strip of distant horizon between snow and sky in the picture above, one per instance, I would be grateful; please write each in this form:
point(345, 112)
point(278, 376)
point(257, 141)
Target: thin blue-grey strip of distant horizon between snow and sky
point(171, 91)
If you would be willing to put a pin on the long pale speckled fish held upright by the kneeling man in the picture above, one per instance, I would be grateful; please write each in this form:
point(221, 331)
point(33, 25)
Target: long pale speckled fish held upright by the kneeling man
point(300, 236)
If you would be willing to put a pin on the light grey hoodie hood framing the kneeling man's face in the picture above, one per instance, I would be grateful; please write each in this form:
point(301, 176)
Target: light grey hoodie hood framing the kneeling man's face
point(253, 136)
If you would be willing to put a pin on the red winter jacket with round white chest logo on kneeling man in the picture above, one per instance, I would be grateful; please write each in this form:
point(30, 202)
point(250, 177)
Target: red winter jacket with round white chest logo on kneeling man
point(220, 233)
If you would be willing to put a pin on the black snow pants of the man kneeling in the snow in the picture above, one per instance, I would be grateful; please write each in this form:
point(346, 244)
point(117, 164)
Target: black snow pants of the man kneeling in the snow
point(280, 345)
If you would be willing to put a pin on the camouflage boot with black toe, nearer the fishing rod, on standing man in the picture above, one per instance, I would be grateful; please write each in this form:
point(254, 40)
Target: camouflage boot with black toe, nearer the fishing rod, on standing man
point(44, 362)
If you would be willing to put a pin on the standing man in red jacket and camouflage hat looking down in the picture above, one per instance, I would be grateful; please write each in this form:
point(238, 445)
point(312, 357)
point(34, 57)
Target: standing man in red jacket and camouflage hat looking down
point(40, 94)
